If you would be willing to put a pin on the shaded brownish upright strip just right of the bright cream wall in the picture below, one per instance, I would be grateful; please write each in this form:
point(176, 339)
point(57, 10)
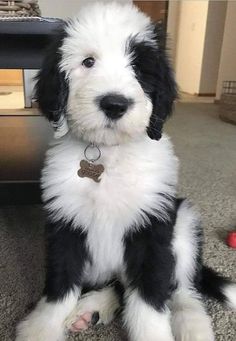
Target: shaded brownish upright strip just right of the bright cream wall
point(212, 46)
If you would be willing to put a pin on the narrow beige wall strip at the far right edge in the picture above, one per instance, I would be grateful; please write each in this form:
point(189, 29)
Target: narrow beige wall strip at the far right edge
point(227, 70)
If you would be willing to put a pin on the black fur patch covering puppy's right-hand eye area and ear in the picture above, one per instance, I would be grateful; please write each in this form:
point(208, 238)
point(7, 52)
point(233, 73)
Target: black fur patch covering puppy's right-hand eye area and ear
point(153, 71)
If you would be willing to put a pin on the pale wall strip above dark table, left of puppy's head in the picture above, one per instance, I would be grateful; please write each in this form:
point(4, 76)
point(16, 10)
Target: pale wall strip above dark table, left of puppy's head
point(65, 8)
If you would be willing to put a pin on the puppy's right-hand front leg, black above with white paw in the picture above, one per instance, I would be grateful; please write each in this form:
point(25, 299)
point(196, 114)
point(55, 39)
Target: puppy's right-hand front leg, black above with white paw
point(148, 277)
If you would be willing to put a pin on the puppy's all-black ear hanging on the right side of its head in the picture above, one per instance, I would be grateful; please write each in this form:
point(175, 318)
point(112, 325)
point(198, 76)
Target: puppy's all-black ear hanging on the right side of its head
point(165, 88)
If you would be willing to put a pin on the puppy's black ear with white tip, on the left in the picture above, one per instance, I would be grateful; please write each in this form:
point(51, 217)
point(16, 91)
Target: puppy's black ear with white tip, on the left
point(51, 88)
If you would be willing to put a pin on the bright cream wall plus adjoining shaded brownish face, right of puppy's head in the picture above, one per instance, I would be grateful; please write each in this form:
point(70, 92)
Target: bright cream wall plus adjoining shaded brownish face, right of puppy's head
point(198, 30)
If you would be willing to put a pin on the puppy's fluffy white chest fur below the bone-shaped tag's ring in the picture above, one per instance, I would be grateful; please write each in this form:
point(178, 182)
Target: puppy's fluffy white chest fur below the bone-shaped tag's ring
point(132, 185)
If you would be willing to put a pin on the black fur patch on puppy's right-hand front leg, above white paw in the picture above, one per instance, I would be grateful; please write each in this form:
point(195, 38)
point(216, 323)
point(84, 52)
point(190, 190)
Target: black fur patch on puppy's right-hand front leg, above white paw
point(150, 261)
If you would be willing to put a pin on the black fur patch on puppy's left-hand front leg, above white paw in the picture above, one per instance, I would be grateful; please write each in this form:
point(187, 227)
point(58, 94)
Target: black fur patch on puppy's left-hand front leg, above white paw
point(66, 254)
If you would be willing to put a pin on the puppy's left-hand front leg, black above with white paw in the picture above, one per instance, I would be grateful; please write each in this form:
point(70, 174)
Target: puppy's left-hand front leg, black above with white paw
point(66, 255)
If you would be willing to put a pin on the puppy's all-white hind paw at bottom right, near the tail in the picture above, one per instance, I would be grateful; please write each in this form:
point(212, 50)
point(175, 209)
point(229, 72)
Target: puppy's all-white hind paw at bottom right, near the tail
point(190, 321)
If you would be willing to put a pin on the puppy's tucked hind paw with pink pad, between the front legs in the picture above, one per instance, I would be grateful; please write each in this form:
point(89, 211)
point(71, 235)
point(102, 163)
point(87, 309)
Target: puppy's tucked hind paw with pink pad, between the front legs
point(94, 307)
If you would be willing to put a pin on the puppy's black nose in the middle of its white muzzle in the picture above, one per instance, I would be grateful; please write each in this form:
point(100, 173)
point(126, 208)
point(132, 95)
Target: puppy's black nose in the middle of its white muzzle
point(114, 105)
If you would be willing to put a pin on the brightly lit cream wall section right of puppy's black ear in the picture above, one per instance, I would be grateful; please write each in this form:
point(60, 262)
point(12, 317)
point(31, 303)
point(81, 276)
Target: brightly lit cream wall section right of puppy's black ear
point(190, 47)
